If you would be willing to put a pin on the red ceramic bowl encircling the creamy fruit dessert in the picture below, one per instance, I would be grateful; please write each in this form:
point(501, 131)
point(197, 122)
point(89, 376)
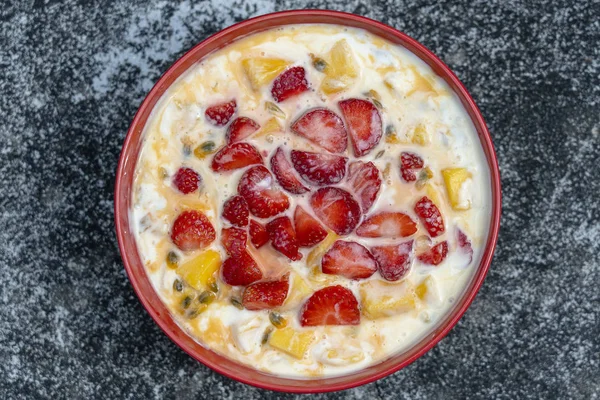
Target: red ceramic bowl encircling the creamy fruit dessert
point(135, 268)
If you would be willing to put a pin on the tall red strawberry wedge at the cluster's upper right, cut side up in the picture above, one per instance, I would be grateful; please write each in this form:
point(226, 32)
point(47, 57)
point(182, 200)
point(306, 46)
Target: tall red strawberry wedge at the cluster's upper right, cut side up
point(363, 123)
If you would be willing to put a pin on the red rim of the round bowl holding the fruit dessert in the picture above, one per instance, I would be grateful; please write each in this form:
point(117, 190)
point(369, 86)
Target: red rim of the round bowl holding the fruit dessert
point(441, 69)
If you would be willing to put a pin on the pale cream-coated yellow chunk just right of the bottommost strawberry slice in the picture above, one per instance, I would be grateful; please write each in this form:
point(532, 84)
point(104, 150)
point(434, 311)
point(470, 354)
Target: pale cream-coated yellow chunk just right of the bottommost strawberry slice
point(382, 299)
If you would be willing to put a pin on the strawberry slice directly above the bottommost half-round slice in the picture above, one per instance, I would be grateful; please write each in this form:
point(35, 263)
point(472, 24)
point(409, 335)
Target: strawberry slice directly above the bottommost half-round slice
point(350, 260)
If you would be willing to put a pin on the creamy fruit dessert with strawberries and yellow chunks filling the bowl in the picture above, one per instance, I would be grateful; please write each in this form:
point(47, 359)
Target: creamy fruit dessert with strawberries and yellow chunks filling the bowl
point(310, 200)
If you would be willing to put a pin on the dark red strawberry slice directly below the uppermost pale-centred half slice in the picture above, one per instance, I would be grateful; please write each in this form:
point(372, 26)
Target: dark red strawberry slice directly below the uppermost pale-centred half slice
point(319, 169)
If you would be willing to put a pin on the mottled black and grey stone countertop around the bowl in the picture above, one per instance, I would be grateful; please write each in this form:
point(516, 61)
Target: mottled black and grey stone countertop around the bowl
point(73, 73)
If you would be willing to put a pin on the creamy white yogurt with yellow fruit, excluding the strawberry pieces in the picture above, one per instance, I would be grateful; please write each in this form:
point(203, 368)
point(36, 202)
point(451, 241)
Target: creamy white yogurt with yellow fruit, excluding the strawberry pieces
point(420, 115)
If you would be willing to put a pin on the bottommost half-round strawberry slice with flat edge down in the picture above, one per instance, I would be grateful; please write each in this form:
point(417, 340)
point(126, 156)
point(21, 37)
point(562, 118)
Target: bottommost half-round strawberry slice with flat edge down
point(332, 305)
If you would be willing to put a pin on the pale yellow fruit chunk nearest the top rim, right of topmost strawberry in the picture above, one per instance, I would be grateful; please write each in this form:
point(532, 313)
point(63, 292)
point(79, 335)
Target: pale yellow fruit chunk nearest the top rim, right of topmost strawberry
point(341, 70)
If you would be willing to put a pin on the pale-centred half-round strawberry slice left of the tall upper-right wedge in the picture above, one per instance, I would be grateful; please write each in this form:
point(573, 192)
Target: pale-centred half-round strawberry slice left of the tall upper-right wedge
point(323, 128)
